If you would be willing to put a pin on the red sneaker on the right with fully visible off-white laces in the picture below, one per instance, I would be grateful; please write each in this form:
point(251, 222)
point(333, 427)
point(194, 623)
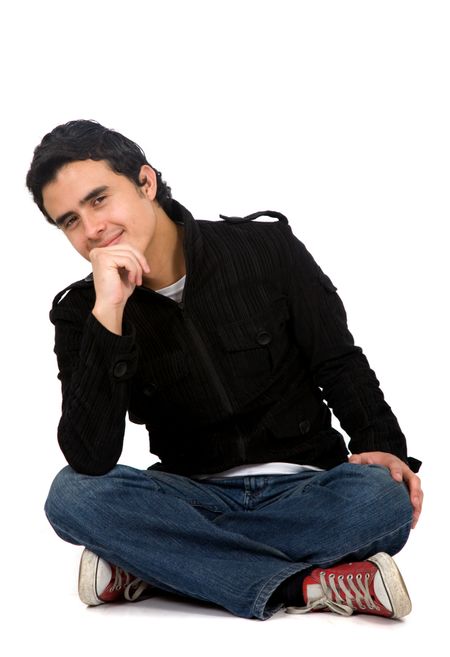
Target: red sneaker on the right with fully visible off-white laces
point(374, 587)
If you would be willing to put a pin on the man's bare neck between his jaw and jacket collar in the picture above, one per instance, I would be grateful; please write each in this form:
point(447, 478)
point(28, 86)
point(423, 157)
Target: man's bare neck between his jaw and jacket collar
point(165, 254)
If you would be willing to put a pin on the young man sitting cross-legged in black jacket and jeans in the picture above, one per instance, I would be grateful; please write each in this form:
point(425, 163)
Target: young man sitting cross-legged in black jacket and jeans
point(224, 339)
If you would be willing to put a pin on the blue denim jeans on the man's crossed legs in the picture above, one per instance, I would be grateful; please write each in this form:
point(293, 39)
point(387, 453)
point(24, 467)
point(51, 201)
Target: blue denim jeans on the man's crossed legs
point(230, 541)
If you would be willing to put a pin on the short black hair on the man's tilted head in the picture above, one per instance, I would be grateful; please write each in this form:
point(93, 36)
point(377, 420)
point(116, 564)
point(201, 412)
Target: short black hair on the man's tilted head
point(88, 140)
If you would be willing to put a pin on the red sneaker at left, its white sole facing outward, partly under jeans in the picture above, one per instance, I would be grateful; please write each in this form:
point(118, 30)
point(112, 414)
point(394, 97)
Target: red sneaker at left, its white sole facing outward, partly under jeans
point(100, 581)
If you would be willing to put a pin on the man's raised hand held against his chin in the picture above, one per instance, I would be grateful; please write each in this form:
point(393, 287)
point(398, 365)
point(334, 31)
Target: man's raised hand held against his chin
point(117, 270)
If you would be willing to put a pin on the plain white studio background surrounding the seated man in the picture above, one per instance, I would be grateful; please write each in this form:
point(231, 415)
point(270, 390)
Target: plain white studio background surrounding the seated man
point(333, 112)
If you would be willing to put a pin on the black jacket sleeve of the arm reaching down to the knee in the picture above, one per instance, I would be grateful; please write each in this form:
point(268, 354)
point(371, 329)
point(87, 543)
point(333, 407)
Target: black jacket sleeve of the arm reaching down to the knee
point(338, 366)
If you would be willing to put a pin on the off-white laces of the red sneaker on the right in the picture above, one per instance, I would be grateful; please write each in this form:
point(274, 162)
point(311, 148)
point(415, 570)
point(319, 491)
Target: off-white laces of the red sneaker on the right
point(356, 595)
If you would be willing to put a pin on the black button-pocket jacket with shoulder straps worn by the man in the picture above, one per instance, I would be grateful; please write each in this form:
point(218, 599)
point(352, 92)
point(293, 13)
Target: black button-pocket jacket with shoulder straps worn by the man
point(236, 373)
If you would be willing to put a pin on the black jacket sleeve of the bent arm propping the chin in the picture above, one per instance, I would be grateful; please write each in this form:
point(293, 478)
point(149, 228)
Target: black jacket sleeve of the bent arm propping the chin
point(95, 369)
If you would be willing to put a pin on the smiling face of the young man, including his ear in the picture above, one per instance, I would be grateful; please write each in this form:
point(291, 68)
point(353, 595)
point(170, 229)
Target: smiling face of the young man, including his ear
point(97, 207)
